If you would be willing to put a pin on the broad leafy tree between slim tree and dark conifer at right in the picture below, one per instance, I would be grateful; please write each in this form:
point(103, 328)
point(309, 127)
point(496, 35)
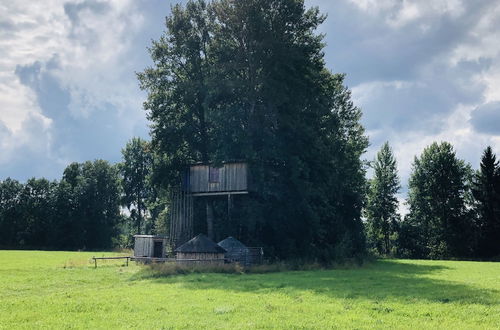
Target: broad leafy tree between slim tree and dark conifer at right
point(438, 225)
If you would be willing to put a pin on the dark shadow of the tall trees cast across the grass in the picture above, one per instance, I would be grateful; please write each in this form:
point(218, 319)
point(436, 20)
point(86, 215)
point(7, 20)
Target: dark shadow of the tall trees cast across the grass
point(384, 279)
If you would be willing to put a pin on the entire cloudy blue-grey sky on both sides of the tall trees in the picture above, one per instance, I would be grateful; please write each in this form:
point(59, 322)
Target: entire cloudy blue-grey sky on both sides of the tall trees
point(421, 71)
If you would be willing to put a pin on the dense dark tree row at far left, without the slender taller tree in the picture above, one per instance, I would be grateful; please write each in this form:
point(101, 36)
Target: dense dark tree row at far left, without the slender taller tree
point(81, 211)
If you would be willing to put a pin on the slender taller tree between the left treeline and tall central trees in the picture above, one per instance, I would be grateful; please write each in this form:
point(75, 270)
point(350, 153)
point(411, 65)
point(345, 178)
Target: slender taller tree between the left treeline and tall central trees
point(136, 171)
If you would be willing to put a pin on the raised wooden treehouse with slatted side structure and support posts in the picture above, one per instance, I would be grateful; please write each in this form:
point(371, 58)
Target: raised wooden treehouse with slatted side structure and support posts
point(199, 181)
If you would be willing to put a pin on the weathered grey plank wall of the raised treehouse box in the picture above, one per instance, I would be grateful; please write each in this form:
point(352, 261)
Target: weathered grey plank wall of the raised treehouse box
point(232, 177)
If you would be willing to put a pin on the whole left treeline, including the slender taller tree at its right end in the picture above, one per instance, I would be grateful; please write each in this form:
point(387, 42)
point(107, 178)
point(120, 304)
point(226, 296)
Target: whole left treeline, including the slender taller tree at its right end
point(95, 205)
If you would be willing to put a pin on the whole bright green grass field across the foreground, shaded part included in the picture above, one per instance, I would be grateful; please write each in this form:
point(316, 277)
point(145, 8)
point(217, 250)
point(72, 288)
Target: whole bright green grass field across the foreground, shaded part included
point(63, 290)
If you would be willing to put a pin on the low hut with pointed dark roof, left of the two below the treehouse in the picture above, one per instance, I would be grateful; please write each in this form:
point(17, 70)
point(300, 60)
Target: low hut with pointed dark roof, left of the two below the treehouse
point(200, 249)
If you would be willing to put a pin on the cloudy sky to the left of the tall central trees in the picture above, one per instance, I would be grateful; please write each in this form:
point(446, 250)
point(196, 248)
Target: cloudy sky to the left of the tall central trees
point(69, 68)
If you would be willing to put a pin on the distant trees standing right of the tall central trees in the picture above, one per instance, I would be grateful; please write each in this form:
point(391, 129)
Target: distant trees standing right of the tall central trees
point(454, 211)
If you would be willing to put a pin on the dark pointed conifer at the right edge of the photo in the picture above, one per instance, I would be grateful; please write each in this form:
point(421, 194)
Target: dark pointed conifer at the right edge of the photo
point(486, 191)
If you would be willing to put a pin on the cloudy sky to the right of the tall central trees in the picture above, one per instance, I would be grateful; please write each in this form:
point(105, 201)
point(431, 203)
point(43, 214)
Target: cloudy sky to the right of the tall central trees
point(418, 69)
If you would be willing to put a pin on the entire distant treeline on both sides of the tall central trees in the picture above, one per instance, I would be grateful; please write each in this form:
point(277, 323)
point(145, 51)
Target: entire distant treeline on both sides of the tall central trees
point(454, 211)
